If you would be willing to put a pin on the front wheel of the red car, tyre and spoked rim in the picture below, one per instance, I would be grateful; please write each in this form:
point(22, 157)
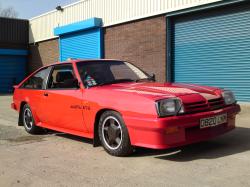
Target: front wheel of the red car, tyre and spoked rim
point(113, 134)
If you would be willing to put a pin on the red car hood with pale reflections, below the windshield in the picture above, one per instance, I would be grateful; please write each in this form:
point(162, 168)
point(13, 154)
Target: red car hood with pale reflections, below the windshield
point(163, 90)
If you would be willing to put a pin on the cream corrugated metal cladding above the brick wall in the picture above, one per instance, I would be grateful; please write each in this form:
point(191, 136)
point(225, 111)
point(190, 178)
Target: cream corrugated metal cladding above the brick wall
point(111, 12)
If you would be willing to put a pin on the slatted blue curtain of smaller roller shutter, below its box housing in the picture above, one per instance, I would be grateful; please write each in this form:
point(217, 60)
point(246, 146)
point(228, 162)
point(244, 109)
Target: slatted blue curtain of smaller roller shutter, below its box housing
point(84, 44)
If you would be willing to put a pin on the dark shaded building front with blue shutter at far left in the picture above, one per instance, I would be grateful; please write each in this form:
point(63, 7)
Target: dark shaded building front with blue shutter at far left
point(14, 38)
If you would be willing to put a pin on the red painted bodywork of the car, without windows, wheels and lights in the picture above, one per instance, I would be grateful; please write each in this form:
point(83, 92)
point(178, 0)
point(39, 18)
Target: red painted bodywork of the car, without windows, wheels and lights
point(75, 111)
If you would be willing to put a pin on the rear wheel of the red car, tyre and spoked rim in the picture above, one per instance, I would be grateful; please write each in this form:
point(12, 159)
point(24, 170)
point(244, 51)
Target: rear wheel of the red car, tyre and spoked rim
point(29, 122)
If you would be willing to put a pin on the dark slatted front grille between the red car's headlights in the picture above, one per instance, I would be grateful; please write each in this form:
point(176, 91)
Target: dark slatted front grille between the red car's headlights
point(202, 106)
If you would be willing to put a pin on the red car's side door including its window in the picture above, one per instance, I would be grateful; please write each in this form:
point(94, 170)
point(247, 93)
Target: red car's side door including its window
point(62, 100)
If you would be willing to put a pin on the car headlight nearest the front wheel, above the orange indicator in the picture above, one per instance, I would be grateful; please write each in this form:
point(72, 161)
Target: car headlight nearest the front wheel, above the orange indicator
point(169, 107)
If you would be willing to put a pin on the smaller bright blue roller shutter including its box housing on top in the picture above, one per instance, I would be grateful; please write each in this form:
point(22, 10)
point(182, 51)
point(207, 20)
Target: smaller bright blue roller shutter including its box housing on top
point(82, 40)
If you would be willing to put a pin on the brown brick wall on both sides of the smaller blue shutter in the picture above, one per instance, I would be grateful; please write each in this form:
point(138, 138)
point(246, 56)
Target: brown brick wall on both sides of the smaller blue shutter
point(141, 42)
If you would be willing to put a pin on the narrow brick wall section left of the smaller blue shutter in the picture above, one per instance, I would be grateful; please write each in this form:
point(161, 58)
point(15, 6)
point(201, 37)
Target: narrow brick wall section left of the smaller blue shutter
point(43, 53)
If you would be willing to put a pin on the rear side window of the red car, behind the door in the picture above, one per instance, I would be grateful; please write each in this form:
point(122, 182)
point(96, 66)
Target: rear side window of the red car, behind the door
point(38, 80)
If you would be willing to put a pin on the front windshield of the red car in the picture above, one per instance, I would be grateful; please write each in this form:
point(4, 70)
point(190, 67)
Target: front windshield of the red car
point(97, 73)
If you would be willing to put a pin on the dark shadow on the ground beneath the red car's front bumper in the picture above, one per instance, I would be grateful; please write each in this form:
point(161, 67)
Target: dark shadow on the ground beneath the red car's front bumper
point(234, 142)
